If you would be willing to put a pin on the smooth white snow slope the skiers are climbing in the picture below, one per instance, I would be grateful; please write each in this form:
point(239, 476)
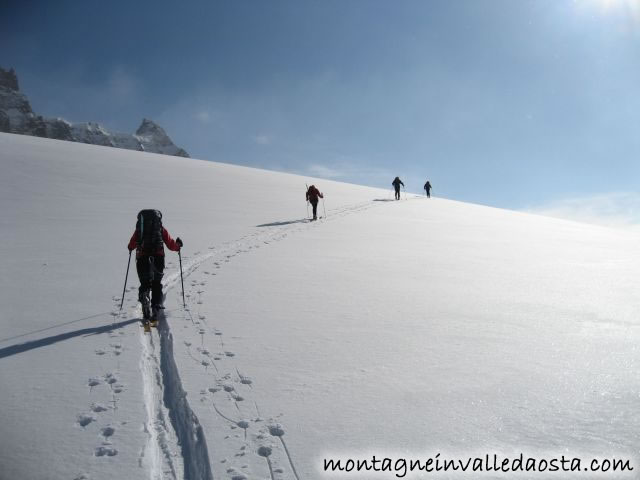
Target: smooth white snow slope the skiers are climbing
point(387, 328)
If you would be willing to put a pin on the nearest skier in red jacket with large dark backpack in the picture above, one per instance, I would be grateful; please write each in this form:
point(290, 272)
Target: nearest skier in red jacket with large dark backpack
point(148, 239)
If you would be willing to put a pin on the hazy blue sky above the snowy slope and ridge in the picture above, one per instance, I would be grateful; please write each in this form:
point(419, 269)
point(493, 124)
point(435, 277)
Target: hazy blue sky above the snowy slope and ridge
point(515, 104)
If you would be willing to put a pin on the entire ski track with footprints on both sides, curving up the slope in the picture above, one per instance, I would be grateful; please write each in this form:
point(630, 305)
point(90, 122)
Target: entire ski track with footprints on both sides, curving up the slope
point(177, 449)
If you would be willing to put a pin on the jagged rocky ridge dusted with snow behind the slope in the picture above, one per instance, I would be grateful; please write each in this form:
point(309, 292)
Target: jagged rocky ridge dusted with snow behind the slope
point(17, 116)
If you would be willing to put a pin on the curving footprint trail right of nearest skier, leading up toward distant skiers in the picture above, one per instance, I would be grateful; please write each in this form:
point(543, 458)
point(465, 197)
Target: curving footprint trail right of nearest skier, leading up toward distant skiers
point(230, 393)
